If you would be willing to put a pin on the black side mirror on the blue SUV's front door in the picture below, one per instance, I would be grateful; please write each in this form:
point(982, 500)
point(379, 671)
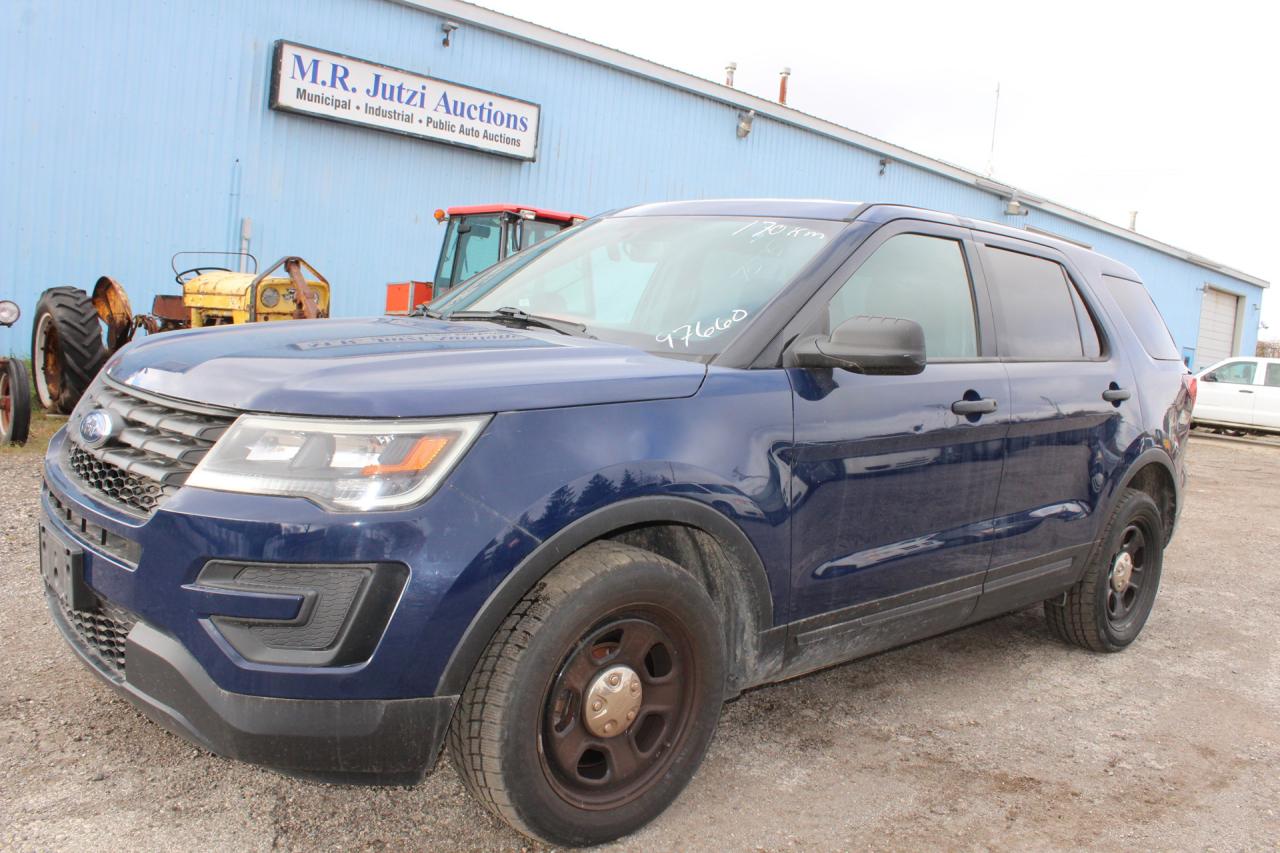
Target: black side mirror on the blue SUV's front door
point(870, 345)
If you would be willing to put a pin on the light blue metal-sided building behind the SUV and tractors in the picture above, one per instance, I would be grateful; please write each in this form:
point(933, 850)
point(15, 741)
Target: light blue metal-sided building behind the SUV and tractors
point(135, 131)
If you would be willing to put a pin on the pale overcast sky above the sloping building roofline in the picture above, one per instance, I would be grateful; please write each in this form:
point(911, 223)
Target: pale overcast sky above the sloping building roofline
point(1169, 110)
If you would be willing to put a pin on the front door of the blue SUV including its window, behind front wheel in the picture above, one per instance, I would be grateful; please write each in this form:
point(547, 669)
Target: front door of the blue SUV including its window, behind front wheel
point(894, 492)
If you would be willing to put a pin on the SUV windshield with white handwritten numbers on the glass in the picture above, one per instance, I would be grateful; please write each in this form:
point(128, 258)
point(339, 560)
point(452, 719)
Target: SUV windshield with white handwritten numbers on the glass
point(671, 285)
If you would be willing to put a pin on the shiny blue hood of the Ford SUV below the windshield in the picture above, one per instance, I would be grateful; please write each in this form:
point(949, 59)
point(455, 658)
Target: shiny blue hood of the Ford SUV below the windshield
point(396, 368)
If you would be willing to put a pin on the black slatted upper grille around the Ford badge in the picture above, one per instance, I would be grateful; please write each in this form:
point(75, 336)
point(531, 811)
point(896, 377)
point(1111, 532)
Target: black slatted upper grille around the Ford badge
point(152, 457)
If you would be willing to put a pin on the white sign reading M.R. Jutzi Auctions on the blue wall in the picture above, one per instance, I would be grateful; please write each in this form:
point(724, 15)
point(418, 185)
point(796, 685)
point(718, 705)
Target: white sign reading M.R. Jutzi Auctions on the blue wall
point(342, 89)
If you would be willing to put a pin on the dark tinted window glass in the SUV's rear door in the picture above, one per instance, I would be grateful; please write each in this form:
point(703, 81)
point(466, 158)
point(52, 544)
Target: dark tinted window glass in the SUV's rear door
point(1041, 314)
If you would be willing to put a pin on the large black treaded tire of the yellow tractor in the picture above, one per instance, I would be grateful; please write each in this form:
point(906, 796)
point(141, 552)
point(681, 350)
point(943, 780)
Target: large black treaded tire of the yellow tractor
point(66, 348)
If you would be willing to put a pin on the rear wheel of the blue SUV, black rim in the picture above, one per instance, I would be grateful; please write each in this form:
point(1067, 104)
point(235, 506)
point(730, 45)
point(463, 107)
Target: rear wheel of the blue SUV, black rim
point(1096, 614)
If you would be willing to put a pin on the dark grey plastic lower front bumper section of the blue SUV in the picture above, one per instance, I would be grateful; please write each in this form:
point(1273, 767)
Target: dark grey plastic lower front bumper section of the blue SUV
point(353, 741)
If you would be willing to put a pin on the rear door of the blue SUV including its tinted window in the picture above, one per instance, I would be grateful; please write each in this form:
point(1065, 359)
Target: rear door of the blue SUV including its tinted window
point(1073, 412)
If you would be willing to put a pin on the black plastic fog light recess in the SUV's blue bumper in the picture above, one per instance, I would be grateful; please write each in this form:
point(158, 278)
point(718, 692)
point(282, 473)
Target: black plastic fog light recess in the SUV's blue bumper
point(344, 614)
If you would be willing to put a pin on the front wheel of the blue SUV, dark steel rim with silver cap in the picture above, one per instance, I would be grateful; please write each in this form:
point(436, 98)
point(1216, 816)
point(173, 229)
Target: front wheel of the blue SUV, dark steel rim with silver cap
point(525, 713)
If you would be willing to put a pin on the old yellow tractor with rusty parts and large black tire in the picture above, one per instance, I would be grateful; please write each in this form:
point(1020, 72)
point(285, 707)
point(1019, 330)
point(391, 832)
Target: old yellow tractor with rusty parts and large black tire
point(75, 334)
